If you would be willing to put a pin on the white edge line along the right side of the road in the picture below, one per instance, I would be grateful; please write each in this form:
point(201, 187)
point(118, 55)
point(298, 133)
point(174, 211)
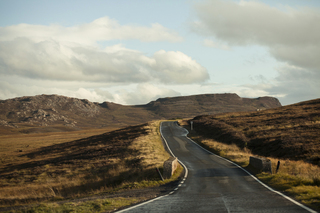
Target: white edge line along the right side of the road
point(277, 192)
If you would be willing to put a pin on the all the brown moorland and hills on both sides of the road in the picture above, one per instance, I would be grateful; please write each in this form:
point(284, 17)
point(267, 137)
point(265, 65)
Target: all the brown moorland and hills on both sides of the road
point(59, 151)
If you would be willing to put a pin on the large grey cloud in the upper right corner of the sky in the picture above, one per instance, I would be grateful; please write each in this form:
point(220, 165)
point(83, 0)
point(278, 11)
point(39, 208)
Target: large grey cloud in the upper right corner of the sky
point(292, 35)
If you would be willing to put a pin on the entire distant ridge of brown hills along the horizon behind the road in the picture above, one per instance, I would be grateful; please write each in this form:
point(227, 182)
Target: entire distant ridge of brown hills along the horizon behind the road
point(57, 111)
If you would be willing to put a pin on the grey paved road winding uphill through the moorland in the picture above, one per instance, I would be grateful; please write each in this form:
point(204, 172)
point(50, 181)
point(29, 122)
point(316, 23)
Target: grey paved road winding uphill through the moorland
point(213, 184)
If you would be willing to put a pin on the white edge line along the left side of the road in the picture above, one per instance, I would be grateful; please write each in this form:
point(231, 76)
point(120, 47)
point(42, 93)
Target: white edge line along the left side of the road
point(170, 193)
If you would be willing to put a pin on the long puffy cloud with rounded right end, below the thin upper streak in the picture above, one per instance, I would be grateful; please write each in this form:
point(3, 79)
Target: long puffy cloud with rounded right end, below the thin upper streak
point(56, 61)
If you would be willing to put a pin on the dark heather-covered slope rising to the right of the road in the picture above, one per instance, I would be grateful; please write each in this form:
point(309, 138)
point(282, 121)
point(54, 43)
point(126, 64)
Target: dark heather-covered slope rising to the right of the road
point(286, 132)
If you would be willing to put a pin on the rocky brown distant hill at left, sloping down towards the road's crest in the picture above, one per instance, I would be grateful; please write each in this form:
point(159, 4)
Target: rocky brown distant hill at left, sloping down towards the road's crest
point(60, 113)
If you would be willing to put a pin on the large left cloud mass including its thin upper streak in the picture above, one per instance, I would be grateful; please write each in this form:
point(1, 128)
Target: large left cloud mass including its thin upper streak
point(72, 54)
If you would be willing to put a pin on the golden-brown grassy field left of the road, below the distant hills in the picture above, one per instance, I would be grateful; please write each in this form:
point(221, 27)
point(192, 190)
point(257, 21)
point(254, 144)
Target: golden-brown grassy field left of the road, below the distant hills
point(57, 166)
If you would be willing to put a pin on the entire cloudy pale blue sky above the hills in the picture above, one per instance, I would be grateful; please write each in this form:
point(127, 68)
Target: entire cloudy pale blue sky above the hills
point(133, 52)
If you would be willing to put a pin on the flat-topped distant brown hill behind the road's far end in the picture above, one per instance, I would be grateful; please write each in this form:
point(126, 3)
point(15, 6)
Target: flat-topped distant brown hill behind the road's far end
point(190, 106)
